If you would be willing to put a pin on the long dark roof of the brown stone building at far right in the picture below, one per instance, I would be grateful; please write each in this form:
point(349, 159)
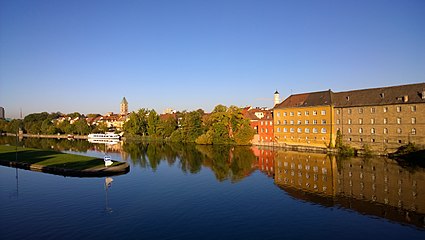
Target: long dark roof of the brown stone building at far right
point(411, 93)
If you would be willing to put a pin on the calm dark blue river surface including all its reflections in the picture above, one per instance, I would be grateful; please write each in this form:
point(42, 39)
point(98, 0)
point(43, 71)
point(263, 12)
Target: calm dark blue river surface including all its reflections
point(220, 192)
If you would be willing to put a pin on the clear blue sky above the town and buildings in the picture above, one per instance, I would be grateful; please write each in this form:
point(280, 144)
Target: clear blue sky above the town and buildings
point(85, 56)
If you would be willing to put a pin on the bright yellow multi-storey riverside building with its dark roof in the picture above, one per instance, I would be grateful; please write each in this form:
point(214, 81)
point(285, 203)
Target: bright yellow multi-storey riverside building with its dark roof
point(305, 120)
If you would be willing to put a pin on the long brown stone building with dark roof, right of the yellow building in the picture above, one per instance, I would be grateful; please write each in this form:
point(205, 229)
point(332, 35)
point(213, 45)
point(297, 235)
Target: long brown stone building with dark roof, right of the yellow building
point(381, 118)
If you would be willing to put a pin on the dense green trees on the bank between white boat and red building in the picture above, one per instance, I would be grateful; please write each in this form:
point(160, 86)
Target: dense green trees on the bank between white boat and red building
point(224, 125)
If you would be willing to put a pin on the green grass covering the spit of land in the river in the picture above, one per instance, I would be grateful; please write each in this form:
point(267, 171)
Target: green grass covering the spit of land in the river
point(49, 158)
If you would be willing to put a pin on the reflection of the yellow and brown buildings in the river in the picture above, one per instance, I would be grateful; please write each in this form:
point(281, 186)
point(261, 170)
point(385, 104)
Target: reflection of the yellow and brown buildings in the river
point(375, 186)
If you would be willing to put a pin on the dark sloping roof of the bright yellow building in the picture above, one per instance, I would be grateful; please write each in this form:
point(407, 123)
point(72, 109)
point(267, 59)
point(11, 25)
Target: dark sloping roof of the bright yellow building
point(307, 100)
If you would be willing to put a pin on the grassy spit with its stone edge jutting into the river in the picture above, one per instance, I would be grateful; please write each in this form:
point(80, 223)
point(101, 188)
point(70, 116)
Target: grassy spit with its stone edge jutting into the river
point(59, 163)
